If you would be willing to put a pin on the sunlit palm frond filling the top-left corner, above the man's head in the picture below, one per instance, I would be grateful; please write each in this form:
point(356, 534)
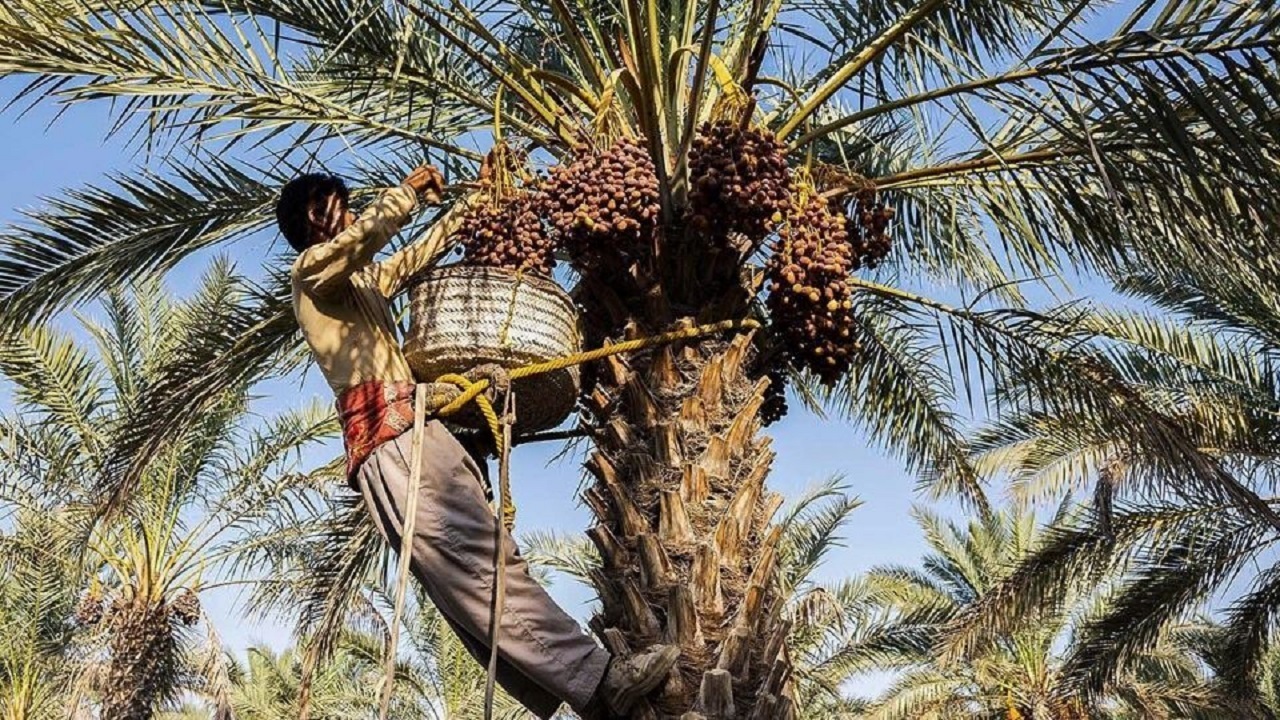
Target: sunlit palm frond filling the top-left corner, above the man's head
point(188, 75)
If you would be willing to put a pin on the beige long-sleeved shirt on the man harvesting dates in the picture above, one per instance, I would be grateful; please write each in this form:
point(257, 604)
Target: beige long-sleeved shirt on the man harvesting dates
point(342, 298)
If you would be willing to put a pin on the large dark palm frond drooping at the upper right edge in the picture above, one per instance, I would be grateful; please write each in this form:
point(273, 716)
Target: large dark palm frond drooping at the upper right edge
point(1081, 158)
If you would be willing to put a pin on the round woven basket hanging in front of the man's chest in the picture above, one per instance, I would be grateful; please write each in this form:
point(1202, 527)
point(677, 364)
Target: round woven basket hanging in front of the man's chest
point(464, 317)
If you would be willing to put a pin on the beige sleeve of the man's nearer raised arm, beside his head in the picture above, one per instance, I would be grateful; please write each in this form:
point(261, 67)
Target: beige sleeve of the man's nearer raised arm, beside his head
point(327, 267)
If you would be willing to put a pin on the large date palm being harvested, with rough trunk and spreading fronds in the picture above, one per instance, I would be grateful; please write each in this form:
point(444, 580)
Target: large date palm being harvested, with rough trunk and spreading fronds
point(1014, 140)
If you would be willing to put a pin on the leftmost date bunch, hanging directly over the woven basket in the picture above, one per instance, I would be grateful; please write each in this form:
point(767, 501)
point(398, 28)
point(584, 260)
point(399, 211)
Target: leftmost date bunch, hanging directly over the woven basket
point(504, 229)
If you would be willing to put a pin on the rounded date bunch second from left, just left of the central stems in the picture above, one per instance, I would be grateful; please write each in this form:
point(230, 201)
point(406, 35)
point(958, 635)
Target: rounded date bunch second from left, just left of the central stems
point(604, 204)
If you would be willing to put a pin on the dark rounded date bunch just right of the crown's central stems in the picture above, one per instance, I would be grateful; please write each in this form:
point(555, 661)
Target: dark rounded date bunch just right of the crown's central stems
point(739, 181)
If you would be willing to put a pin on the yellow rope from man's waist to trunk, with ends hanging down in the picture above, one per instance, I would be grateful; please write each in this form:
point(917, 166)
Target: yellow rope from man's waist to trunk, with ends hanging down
point(474, 391)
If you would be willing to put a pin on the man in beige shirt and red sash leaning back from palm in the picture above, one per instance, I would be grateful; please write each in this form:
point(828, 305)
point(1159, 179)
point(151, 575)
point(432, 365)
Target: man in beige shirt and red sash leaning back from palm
point(341, 300)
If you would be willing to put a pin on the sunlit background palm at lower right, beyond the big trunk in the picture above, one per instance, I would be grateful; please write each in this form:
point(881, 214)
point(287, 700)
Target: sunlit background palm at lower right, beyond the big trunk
point(1018, 675)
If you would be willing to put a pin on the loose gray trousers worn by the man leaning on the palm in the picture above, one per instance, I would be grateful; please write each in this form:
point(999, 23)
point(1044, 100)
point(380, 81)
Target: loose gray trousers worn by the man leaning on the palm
point(545, 657)
